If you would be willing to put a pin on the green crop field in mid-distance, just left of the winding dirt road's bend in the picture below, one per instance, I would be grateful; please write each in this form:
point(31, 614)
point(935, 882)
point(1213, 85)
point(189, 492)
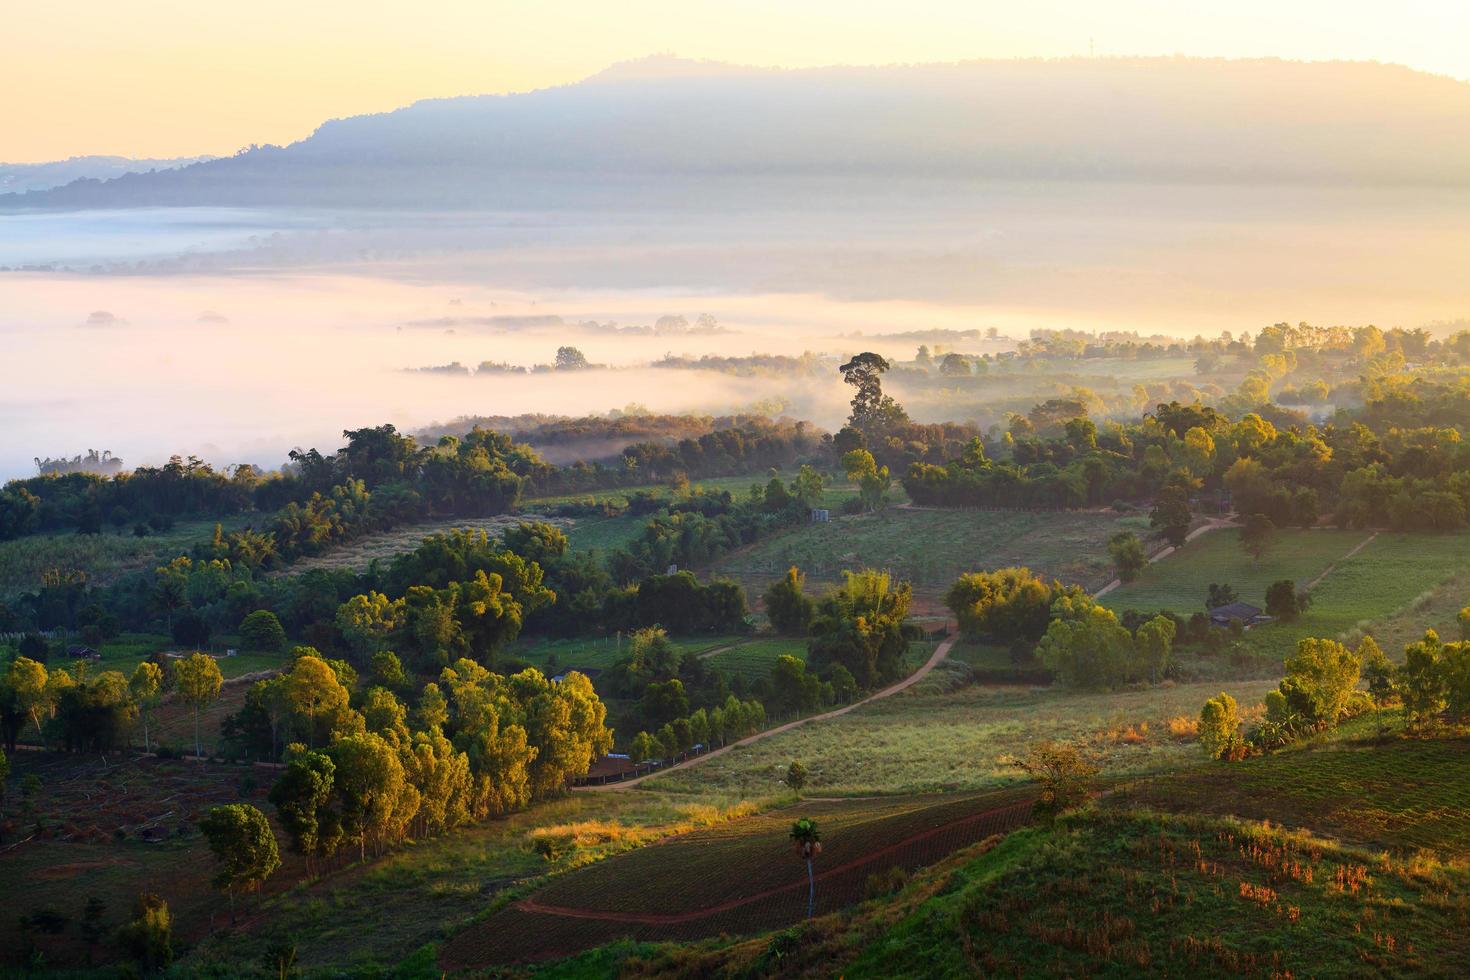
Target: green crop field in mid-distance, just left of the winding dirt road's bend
point(933, 547)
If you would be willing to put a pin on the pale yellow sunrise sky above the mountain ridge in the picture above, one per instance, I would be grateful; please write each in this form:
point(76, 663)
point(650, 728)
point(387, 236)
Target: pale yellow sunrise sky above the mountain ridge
point(157, 79)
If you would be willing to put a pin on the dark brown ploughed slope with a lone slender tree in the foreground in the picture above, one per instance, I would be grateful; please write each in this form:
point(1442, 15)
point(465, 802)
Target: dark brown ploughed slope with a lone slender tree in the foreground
point(737, 878)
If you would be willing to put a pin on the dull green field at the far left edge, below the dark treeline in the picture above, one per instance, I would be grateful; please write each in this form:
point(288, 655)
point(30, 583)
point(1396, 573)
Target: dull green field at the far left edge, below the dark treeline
point(102, 558)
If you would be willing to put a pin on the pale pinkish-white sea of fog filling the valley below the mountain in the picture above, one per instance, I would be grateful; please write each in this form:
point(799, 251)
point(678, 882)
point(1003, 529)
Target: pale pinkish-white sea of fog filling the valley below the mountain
point(240, 334)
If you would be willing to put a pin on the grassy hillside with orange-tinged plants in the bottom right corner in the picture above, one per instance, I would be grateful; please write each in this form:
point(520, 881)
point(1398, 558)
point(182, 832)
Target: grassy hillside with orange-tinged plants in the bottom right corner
point(1122, 894)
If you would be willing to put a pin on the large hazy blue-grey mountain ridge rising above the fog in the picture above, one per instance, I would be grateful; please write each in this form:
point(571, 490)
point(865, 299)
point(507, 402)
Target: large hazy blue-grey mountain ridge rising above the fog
point(668, 120)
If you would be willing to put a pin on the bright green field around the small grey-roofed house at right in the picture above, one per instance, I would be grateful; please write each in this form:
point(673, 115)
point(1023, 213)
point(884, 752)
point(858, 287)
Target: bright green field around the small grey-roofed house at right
point(1387, 581)
